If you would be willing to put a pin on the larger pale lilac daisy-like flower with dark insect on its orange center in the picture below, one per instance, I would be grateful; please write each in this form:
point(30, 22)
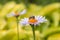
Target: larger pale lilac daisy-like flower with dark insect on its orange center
point(33, 20)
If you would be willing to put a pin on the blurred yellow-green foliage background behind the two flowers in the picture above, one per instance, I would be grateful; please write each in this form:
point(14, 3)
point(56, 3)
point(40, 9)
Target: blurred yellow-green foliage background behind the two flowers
point(48, 8)
